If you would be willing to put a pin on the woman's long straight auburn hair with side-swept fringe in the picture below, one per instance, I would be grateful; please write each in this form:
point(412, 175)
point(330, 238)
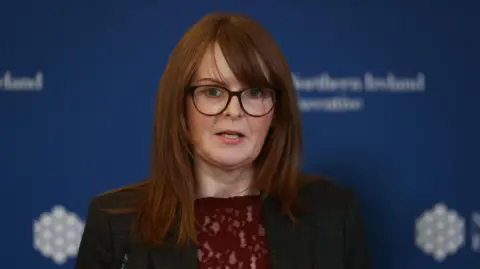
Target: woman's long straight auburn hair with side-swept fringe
point(249, 49)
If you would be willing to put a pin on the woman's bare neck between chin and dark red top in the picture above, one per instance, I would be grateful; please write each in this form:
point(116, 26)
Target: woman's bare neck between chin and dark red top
point(217, 182)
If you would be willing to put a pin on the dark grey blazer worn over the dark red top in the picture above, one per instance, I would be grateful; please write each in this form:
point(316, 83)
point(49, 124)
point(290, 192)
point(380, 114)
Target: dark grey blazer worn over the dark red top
point(329, 236)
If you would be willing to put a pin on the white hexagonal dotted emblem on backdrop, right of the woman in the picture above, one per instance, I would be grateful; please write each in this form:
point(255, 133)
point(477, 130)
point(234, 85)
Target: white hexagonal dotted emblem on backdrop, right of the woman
point(440, 232)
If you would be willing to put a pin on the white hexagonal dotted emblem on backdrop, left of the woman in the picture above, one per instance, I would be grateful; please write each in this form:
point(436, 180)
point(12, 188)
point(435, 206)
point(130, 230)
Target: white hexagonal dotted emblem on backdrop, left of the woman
point(57, 234)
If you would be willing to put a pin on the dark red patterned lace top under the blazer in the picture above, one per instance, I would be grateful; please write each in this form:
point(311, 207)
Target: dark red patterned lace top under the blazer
point(231, 234)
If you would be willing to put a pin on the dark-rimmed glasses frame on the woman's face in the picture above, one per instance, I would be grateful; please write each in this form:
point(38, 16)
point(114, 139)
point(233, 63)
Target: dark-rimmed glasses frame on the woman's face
point(231, 94)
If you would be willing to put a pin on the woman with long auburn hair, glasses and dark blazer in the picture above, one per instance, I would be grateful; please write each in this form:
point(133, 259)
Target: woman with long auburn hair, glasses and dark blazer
point(225, 190)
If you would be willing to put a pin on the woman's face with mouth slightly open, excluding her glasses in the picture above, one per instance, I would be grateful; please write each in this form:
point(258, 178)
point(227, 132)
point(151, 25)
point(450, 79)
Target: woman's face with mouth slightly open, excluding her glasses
point(233, 138)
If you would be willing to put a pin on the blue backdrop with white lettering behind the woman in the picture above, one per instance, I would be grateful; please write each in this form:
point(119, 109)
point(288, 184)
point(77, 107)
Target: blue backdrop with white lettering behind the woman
point(78, 81)
